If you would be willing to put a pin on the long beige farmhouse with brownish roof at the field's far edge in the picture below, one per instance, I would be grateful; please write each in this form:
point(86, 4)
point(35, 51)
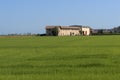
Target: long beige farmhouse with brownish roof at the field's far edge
point(73, 30)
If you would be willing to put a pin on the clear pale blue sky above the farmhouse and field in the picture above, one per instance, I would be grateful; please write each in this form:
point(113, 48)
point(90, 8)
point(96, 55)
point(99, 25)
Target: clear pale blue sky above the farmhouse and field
point(31, 16)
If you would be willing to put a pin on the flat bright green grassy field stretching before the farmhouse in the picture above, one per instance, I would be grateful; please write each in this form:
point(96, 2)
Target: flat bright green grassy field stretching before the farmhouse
point(60, 58)
